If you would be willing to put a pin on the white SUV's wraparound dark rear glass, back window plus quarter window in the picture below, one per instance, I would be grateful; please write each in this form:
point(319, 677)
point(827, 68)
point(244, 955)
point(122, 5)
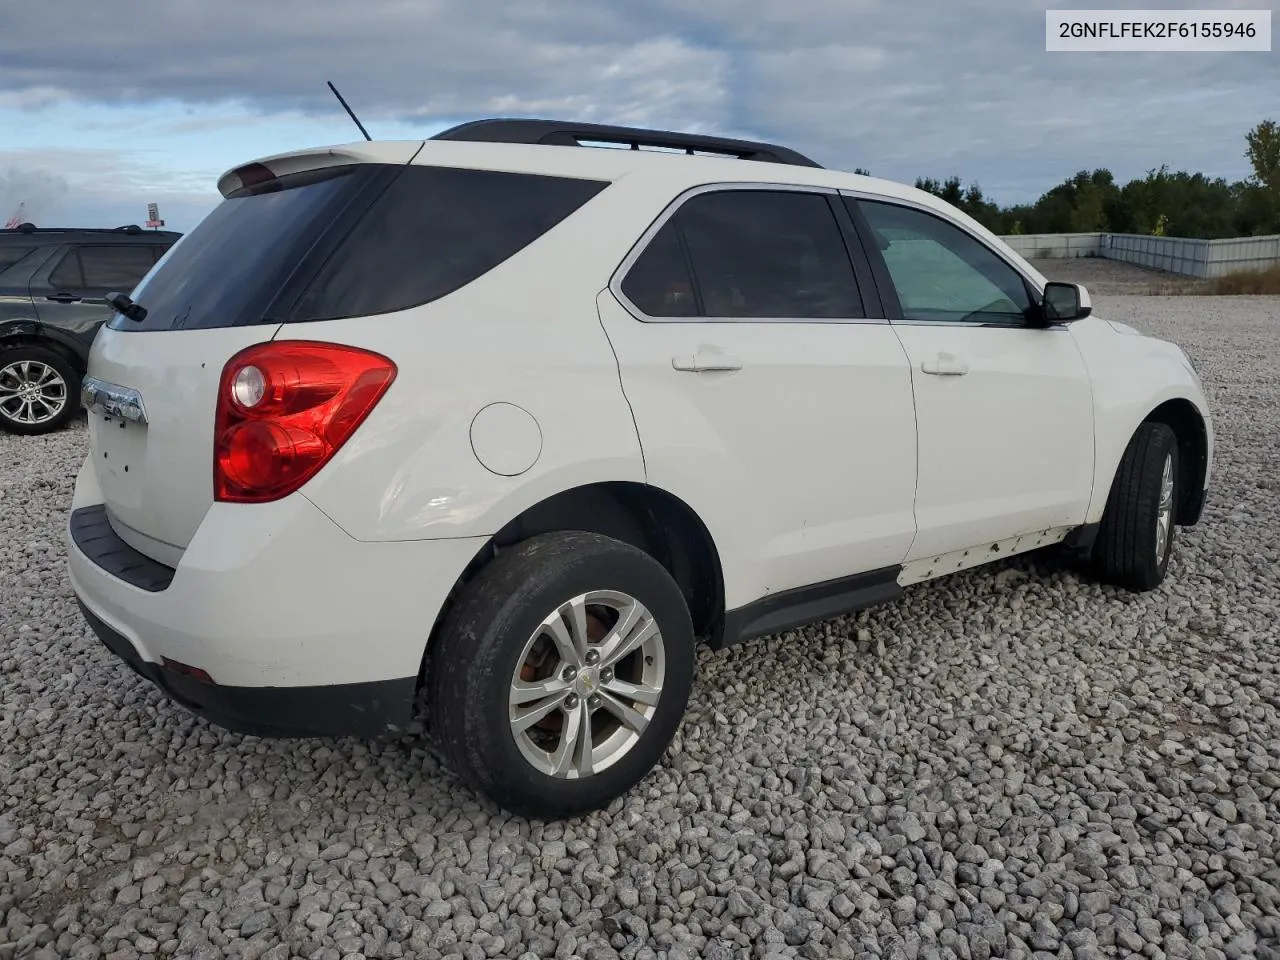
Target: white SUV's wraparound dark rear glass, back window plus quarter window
point(350, 241)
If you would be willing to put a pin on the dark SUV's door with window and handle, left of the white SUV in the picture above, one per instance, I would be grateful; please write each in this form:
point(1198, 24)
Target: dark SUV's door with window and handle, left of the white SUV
point(71, 291)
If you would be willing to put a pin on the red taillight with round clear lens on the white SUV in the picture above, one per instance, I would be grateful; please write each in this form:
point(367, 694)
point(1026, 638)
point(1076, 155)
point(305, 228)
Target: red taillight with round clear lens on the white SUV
point(285, 409)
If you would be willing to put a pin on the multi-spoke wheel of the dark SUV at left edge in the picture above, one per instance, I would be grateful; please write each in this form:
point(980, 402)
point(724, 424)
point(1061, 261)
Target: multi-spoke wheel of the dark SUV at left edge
point(39, 390)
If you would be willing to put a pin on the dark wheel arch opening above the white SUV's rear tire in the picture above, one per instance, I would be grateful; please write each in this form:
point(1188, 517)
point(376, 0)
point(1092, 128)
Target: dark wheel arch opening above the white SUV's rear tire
point(643, 516)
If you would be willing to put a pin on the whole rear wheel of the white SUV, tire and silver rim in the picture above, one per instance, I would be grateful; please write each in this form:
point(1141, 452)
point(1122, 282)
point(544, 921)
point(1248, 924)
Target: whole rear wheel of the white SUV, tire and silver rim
point(563, 675)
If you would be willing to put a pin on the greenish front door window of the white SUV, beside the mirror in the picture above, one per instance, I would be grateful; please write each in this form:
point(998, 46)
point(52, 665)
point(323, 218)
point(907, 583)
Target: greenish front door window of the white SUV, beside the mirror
point(943, 273)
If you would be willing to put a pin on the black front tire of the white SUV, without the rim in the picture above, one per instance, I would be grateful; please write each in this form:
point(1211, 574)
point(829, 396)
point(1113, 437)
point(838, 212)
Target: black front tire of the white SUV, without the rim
point(1126, 552)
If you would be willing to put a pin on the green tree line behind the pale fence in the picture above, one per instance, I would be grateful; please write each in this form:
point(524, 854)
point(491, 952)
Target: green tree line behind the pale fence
point(1172, 204)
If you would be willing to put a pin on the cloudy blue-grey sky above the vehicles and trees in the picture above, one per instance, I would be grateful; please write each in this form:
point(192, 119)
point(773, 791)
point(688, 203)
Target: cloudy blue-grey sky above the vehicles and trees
point(107, 106)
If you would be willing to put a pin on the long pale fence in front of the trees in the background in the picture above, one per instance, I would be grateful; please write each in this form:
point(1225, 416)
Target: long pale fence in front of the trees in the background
point(1190, 258)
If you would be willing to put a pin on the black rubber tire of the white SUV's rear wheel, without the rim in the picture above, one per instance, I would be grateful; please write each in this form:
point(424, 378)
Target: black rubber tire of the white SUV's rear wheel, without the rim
point(482, 644)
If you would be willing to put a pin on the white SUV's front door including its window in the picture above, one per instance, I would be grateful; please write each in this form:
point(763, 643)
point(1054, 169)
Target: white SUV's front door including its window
point(1003, 403)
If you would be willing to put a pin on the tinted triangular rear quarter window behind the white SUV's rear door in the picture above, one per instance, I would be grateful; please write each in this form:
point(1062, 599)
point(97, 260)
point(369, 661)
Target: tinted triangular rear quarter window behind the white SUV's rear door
point(433, 231)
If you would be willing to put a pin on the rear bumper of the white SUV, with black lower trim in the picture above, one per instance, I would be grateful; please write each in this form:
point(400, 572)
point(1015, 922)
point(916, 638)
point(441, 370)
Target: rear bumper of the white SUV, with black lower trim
point(281, 609)
